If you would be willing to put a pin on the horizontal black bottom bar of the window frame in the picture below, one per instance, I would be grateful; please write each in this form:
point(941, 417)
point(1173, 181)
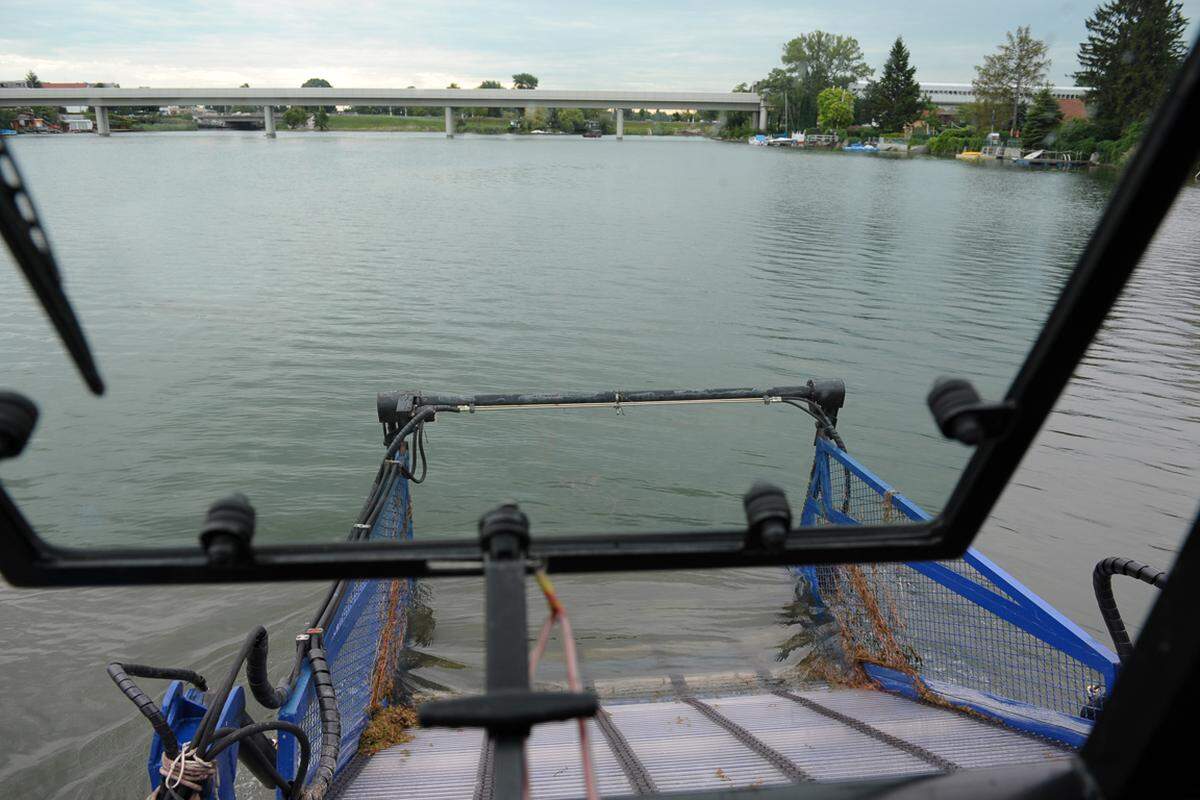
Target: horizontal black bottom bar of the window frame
point(454, 558)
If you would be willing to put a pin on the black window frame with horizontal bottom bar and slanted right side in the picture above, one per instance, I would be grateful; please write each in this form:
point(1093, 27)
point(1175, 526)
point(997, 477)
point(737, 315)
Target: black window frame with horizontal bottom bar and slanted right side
point(1138, 206)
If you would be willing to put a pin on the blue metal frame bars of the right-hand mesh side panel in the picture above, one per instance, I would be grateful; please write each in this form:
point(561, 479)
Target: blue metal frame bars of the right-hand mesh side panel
point(1012, 601)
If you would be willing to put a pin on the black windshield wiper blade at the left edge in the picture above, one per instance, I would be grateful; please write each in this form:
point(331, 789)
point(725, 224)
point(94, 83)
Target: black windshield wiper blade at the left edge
point(32, 250)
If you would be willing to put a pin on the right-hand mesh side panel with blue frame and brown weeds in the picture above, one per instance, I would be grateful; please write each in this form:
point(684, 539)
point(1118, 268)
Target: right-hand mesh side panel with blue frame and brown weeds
point(958, 622)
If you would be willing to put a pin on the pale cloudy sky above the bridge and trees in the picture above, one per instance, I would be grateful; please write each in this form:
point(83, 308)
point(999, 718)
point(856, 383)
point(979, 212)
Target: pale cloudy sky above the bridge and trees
point(617, 45)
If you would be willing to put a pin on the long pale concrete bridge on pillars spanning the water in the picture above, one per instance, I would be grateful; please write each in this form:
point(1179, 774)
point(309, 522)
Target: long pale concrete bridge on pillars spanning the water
point(448, 99)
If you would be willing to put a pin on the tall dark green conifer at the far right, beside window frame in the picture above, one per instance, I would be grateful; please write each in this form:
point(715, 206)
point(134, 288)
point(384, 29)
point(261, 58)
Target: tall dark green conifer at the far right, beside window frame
point(1133, 49)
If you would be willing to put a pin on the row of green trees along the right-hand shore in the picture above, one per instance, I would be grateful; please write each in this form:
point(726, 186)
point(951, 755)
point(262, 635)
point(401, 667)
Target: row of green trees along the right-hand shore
point(1131, 53)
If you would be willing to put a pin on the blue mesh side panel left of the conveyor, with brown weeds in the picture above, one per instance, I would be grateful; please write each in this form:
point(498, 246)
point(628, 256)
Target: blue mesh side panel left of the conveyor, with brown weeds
point(363, 641)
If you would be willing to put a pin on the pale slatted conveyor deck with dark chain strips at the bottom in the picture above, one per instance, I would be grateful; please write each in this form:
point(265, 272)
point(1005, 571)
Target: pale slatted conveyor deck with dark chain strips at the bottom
point(694, 742)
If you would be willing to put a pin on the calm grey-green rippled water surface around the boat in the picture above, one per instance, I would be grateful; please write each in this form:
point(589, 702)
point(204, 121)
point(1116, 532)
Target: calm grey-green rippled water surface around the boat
point(248, 299)
